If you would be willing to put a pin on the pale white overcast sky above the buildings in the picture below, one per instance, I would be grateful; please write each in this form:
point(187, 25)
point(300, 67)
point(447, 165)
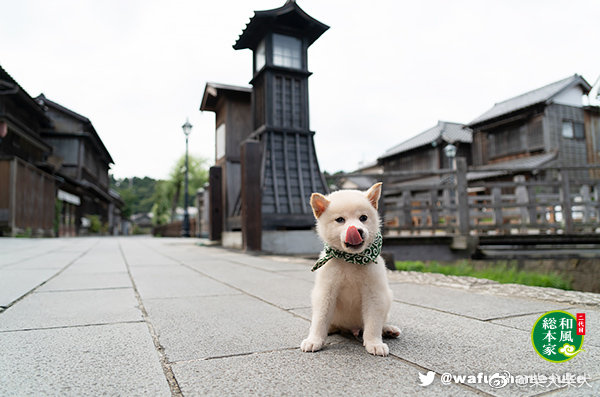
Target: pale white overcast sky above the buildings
point(385, 70)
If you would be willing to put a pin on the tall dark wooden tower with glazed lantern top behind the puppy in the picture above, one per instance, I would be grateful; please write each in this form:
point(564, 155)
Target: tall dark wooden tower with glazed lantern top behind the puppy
point(279, 39)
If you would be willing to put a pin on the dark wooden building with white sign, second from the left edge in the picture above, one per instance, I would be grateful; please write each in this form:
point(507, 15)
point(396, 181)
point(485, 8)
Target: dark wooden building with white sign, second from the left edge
point(83, 184)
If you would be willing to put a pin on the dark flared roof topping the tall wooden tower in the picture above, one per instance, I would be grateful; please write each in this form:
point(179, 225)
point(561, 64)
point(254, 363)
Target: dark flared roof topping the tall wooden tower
point(289, 18)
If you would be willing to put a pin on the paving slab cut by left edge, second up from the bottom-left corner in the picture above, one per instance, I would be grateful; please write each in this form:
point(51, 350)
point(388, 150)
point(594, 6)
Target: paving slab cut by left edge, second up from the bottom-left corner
point(71, 308)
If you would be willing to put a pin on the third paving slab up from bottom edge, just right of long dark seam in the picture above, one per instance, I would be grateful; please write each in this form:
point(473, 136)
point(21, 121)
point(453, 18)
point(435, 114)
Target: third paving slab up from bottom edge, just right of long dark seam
point(175, 281)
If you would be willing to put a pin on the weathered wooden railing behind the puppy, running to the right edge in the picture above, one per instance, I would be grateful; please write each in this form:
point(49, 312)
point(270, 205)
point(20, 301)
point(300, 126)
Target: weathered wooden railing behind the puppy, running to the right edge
point(551, 200)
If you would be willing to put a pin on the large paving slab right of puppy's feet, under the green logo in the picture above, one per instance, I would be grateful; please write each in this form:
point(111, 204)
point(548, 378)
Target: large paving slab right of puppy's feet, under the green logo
point(447, 343)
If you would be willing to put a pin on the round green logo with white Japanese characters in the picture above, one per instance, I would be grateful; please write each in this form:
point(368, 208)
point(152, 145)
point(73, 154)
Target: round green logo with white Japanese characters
point(554, 336)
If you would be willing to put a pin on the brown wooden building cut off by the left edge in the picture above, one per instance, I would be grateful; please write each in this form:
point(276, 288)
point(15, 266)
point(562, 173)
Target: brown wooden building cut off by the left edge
point(27, 187)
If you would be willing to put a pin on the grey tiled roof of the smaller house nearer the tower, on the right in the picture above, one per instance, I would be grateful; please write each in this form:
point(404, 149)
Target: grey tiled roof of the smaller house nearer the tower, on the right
point(446, 131)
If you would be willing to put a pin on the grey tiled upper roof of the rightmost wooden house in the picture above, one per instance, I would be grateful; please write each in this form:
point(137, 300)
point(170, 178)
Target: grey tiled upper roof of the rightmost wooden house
point(540, 95)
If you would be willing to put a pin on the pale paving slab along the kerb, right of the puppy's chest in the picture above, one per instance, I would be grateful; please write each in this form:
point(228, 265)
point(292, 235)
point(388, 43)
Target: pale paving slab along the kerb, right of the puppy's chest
point(468, 303)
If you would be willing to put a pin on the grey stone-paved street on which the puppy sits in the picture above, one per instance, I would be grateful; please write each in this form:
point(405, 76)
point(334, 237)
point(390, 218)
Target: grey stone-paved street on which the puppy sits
point(160, 317)
